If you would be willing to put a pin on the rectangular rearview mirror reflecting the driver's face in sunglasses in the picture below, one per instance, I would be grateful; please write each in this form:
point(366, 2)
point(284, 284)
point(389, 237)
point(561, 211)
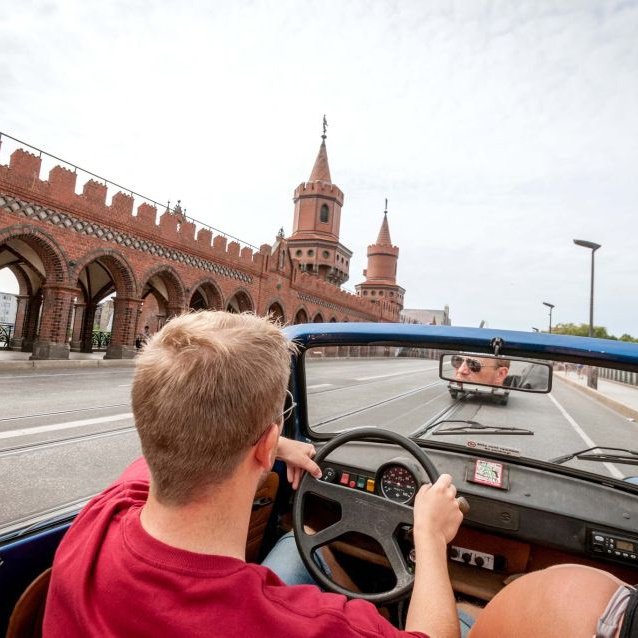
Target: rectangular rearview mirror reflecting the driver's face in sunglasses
point(495, 372)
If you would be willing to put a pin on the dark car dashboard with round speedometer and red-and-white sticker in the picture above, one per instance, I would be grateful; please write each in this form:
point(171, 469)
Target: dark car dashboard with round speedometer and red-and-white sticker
point(521, 518)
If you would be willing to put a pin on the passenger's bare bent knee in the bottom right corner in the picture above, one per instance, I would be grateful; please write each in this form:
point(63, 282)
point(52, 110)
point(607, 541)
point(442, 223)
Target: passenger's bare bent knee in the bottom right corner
point(560, 601)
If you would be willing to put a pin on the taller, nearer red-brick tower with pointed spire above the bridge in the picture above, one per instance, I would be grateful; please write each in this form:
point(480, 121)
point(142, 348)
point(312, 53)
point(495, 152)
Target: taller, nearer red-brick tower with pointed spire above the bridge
point(314, 243)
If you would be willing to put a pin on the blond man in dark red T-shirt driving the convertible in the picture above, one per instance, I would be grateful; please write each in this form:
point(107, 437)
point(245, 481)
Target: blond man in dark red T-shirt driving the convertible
point(162, 550)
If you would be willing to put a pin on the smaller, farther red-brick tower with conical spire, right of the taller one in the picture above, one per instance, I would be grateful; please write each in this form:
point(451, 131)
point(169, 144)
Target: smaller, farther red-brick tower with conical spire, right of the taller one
point(381, 284)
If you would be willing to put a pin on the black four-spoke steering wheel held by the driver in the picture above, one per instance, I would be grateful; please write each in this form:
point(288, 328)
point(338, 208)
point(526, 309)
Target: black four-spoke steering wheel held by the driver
point(363, 512)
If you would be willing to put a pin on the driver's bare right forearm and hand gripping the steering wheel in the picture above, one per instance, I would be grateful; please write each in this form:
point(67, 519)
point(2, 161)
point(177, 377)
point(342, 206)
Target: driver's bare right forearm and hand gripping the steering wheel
point(436, 520)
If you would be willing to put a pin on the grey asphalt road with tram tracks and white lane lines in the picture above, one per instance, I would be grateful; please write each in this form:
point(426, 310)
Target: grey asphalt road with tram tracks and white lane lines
point(64, 435)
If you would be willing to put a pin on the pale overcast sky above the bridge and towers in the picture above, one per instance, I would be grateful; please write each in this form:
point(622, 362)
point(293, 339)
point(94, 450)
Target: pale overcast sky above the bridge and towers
point(499, 131)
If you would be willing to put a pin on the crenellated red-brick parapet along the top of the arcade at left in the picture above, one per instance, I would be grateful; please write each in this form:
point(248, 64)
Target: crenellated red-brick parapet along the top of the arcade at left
point(21, 178)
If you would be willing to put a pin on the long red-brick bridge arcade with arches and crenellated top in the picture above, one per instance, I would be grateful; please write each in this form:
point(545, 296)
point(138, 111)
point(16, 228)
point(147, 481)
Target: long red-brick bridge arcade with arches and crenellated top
point(70, 251)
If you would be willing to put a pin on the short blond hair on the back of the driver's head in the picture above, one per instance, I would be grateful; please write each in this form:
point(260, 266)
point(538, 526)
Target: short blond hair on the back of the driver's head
point(205, 387)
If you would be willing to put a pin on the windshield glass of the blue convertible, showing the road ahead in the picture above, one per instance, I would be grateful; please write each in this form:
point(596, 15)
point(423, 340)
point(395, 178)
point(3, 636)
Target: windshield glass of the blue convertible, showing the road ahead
point(400, 389)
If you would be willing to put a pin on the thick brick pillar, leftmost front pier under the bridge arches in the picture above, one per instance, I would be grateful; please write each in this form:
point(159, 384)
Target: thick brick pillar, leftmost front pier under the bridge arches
point(57, 307)
